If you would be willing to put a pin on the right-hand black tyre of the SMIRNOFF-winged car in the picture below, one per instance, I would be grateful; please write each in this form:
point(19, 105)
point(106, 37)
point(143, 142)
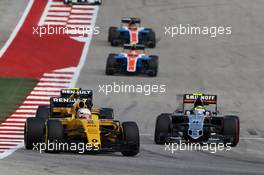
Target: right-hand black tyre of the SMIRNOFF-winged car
point(231, 129)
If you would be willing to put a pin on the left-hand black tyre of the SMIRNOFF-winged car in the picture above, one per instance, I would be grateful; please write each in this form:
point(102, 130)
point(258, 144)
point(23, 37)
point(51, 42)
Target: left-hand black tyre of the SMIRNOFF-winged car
point(162, 128)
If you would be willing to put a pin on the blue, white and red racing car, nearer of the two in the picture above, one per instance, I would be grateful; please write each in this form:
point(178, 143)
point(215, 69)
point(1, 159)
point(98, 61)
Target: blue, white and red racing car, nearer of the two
point(132, 60)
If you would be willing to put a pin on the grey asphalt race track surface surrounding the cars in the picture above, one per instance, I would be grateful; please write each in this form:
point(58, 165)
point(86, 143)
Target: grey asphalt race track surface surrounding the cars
point(230, 66)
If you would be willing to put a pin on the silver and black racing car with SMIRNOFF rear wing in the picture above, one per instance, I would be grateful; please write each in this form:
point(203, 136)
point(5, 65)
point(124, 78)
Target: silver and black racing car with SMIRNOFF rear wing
point(198, 120)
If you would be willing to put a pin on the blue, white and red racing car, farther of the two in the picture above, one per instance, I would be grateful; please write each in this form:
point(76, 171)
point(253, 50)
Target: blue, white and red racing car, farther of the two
point(131, 32)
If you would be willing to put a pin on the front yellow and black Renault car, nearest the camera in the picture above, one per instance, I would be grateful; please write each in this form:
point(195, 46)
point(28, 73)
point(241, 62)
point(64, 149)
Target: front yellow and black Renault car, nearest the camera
point(63, 130)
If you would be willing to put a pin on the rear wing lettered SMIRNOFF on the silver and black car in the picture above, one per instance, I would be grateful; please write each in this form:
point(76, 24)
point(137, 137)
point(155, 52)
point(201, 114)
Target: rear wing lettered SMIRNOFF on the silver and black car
point(207, 99)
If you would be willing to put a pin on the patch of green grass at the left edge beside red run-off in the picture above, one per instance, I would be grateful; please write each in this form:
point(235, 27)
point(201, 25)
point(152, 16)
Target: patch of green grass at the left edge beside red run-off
point(12, 92)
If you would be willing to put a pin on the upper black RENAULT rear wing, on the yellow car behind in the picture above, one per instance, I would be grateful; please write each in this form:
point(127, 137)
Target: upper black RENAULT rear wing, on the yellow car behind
point(83, 94)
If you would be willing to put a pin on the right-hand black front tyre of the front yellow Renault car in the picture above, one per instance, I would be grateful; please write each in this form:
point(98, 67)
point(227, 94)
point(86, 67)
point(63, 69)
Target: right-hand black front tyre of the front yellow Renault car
point(131, 139)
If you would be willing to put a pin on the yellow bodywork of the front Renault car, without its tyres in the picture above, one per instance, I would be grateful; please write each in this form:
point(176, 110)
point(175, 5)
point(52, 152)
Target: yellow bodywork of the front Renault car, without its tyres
point(89, 130)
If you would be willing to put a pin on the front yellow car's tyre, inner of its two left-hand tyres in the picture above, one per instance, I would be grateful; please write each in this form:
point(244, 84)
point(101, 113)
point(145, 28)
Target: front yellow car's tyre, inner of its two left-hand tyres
point(54, 136)
